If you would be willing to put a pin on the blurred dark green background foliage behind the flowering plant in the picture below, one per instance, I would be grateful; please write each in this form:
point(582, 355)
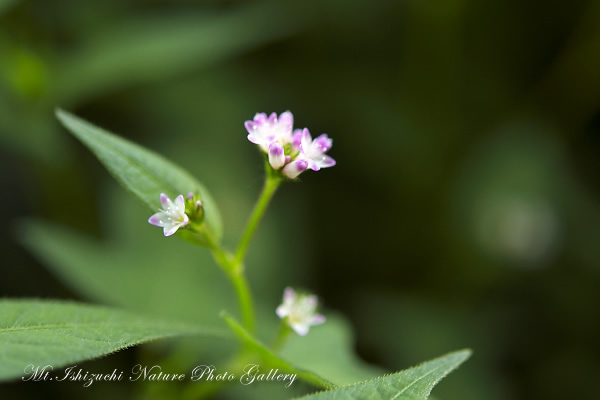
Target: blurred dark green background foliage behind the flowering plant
point(464, 210)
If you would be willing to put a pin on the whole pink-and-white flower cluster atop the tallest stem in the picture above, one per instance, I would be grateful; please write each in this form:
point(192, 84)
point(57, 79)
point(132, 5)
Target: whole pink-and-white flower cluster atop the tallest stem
point(292, 151)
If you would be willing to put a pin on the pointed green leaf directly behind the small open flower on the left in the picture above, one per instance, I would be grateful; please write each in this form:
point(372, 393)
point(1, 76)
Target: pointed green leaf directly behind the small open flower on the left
point(141, 171)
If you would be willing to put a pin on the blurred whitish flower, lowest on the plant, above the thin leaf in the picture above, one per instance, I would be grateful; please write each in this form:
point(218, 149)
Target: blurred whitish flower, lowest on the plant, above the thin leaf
point(299, 311)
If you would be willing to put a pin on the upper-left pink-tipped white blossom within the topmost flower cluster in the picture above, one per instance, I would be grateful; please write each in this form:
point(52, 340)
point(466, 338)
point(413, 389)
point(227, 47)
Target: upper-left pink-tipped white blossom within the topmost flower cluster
point(263, 130)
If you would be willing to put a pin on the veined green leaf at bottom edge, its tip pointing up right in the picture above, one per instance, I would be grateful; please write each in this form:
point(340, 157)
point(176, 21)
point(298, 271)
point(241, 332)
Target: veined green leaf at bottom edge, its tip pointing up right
point(411, 384)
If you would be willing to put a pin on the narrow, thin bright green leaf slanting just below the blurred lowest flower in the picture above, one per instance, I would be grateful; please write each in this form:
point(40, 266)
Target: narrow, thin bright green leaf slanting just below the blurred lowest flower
point(270, 358)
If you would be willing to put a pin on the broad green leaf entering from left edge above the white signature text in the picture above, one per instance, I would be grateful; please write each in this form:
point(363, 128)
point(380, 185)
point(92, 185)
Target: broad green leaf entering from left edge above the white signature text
point(56, 333)
